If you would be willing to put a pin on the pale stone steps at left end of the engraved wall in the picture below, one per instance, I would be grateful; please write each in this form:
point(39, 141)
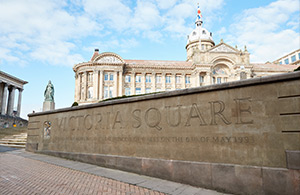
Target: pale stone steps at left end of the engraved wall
point(14, 141)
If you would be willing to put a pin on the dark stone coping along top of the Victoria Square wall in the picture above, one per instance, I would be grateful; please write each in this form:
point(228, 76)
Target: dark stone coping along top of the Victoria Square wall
point(202, 89)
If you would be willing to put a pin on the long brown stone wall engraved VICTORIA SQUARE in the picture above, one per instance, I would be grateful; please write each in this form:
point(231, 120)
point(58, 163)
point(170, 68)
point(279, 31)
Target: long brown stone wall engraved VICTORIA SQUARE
point(240, 137)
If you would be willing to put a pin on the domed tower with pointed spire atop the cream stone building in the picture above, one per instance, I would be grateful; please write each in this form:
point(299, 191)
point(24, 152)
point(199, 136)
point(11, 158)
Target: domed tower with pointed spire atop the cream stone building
point(199, 40)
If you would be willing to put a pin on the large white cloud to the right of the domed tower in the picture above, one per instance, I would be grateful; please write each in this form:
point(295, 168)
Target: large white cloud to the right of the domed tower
point(265, 30)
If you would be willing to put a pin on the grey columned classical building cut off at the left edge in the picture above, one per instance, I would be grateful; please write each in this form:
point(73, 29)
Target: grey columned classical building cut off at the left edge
point(8, 87)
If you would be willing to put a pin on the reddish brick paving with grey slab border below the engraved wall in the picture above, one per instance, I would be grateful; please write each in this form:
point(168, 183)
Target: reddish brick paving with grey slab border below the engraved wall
point(29, 173)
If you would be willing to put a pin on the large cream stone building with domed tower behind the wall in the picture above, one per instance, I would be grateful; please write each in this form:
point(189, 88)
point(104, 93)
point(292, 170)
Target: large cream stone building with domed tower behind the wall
point(108, 75)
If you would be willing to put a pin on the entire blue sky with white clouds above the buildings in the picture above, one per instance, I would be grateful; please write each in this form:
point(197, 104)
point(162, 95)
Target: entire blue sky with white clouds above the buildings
point(42, 40)
